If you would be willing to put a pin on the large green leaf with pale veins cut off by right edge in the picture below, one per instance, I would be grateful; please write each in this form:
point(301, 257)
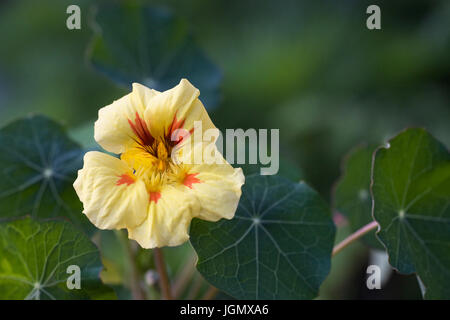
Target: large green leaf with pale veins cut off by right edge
point(411, 191)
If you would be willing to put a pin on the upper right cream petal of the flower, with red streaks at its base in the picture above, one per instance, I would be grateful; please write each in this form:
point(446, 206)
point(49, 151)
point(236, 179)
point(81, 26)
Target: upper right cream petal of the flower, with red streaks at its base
point(179, 104)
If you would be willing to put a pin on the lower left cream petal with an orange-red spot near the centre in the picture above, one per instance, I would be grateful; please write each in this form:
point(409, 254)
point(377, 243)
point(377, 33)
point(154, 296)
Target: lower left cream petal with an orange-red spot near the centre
point(112, 197)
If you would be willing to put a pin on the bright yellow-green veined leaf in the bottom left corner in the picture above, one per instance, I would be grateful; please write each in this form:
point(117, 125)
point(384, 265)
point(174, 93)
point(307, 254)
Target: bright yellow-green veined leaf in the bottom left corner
point(34, 261)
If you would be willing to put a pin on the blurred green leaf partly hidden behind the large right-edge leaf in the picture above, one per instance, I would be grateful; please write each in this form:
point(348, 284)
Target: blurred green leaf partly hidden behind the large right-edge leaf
point(352, 191)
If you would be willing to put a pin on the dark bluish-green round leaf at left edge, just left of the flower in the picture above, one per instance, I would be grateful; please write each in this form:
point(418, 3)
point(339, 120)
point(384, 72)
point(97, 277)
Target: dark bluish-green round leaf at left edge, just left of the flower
point(38, 165)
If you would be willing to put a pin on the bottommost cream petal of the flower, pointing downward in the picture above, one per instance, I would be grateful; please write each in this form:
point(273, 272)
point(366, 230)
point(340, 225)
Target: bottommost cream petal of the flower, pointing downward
point(168, 220)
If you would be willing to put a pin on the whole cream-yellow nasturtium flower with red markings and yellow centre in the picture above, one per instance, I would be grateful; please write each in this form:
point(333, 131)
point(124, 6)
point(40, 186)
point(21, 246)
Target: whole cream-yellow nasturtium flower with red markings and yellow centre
point(147, 190)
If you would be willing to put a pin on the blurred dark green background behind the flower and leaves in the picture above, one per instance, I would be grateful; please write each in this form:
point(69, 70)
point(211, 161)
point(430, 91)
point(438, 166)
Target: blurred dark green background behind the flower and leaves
point(310, 68)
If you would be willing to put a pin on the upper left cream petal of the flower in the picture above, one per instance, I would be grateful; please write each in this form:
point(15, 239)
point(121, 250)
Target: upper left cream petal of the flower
point(112, 129)
